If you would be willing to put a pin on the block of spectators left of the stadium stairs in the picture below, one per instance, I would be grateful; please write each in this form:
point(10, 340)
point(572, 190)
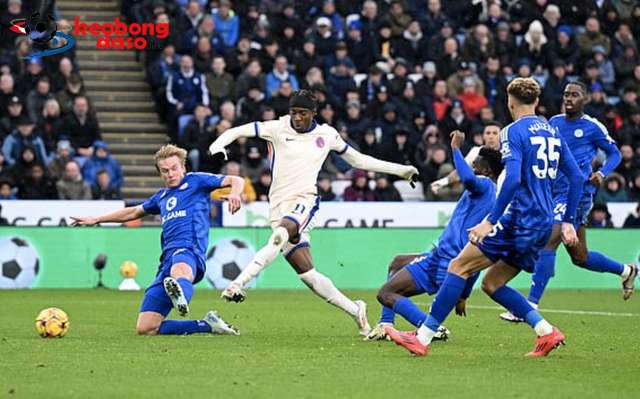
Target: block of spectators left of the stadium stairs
point(50, 139)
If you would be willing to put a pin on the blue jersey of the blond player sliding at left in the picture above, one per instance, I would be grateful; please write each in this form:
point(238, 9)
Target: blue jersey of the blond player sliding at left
point(186, 212)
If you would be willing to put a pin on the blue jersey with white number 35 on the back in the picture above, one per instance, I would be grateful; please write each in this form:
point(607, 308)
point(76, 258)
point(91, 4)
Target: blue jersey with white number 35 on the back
point(534, 142)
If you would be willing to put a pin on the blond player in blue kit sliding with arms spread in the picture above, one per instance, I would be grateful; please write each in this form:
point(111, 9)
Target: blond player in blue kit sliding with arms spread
point(185, 208)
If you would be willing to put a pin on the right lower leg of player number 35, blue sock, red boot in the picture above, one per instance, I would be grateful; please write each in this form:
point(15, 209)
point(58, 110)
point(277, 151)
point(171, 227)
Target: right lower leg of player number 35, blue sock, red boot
point(548, 336)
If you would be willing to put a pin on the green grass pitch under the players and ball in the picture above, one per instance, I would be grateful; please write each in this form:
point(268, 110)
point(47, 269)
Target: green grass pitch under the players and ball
point(295, 346)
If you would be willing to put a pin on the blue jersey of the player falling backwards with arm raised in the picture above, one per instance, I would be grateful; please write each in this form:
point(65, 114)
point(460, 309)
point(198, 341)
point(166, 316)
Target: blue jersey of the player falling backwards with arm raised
point(473, 206)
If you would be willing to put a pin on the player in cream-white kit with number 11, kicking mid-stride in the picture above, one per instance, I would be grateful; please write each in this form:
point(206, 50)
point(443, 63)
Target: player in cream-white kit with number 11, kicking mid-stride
point(298, 147)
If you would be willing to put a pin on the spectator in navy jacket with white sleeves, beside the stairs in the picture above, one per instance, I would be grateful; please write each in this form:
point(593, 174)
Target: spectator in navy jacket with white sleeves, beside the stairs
point(185, 89)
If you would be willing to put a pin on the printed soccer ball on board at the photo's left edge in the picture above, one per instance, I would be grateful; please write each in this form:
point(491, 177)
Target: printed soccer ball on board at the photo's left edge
point(19, 263)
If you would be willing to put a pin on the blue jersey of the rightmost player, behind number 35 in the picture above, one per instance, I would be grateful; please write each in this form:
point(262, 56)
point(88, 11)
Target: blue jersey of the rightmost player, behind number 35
point(583, 136)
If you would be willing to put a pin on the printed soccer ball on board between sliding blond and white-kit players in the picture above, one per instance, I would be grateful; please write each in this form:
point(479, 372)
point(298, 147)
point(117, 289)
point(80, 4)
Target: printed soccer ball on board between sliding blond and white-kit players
point(226, 259)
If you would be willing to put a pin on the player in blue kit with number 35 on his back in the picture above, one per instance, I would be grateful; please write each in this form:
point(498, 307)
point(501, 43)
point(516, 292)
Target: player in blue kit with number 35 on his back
point(509, 241)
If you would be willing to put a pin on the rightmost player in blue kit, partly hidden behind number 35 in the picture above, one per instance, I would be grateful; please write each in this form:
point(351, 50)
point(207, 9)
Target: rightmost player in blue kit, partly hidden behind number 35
point(584, 135)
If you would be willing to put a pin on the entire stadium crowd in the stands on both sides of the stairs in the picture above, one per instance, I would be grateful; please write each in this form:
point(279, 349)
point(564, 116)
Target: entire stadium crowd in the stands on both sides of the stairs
point(393, 76)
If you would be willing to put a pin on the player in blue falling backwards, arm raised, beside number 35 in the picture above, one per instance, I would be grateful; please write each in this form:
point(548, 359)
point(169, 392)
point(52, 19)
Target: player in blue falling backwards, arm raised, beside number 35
point(425, 273)
